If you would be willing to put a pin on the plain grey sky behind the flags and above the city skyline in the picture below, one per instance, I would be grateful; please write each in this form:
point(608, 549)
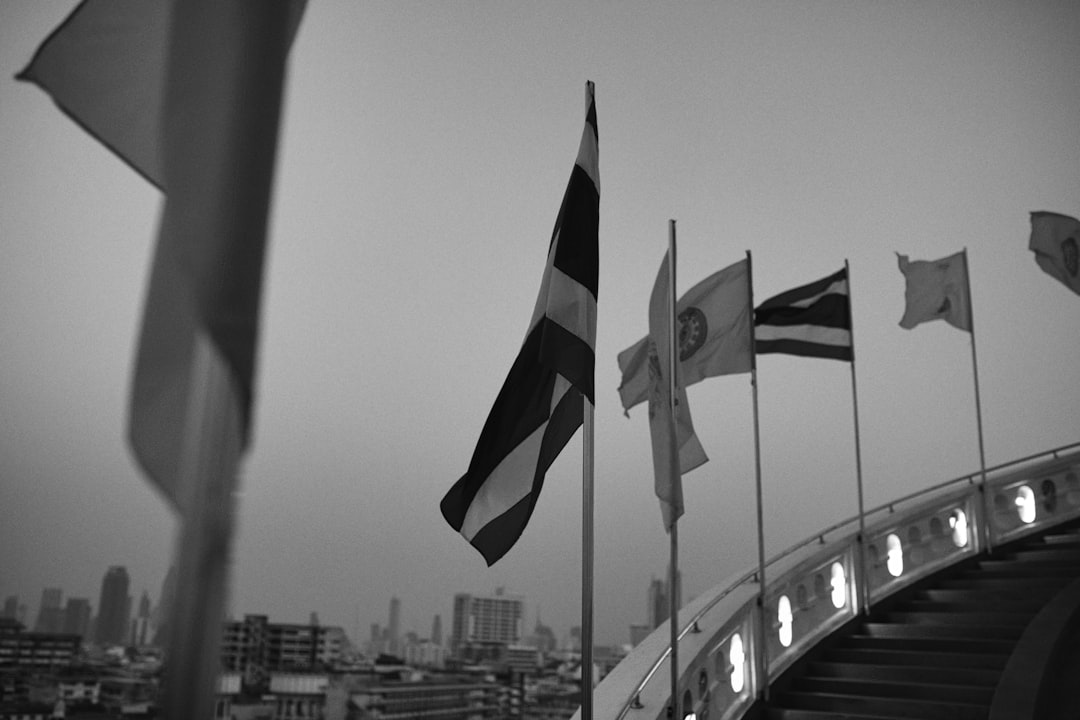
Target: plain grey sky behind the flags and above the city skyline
point(425, 151)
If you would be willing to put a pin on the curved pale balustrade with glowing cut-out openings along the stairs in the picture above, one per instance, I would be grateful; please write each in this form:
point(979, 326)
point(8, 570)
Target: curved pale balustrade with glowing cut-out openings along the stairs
point(727, 656)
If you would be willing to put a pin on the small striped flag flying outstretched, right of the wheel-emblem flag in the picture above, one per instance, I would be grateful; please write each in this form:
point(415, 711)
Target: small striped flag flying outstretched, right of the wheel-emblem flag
point(814, 321)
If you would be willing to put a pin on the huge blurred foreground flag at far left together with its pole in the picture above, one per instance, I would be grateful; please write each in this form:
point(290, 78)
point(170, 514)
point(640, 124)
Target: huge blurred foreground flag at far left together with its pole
point(198, 115)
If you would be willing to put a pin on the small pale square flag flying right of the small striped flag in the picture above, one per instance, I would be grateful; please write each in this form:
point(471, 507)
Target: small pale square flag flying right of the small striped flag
point(937, 290)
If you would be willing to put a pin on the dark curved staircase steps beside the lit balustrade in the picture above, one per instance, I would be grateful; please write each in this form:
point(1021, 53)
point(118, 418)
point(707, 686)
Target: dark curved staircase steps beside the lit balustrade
point(938, 650)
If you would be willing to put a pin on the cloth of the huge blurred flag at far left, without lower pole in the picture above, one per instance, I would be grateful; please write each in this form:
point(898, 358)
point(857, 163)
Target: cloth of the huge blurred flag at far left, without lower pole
point(195, 112)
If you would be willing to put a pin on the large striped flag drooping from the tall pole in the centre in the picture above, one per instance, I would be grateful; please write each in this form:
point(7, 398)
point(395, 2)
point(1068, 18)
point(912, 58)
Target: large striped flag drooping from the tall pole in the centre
point(541, 405)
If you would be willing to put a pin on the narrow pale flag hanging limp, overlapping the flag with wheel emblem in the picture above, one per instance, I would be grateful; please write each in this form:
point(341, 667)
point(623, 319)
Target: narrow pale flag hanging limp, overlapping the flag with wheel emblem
point(676, 447)
